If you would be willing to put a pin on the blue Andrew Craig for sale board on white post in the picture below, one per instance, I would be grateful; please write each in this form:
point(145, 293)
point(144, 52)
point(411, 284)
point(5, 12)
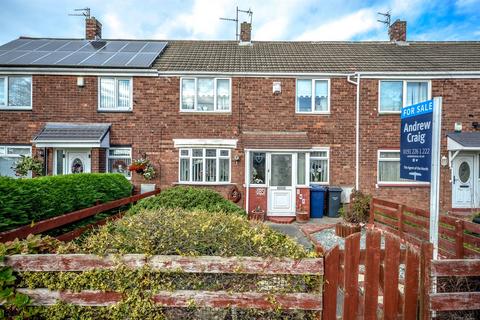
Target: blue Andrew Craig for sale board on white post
point(416, 141)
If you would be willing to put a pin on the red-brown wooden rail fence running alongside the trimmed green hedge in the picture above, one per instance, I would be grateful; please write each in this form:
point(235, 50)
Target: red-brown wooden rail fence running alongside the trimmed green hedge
point(56, 222)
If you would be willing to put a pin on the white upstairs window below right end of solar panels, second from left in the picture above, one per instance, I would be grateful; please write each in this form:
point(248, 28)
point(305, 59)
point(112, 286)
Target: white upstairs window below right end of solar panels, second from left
point(115, 94)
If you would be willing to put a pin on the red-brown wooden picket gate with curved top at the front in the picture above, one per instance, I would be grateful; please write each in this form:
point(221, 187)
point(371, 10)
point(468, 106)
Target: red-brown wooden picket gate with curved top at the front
point(379, 282)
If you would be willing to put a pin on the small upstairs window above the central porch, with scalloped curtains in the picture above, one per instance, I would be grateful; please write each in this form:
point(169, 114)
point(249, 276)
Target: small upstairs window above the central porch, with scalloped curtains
point(313, 96)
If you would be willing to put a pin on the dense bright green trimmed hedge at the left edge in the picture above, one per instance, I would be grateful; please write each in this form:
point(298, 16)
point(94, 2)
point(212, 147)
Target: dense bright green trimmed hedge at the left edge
point(23, 201)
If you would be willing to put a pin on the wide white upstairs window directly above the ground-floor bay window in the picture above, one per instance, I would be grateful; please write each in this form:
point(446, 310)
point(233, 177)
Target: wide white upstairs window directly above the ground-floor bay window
point(205, 95)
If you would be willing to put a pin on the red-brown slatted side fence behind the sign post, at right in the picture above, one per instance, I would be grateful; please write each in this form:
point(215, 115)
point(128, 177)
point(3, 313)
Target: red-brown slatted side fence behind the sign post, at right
point(457, 238)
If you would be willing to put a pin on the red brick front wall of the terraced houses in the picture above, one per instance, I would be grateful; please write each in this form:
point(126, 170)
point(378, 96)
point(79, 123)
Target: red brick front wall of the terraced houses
point(156, 120)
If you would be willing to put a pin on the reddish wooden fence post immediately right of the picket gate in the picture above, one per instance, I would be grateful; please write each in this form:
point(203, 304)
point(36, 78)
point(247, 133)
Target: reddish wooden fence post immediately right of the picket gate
point(426, 254)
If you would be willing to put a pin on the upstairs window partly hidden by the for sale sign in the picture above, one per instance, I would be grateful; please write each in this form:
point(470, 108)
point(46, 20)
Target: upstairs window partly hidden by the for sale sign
point(395, 94)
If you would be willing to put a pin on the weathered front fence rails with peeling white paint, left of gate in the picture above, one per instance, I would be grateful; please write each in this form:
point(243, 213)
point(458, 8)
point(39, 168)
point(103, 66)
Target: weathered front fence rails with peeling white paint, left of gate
point(178, 298)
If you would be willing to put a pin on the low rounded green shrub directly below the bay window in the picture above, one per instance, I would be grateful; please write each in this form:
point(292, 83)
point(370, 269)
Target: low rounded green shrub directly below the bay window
point(189, 198)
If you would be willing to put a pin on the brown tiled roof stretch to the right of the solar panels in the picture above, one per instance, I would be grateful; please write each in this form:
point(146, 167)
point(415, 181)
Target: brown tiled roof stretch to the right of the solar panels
point(291, 56)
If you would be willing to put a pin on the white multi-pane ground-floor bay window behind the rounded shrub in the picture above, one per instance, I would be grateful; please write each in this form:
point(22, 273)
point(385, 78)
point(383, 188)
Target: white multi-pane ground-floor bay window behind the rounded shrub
point(204, 165)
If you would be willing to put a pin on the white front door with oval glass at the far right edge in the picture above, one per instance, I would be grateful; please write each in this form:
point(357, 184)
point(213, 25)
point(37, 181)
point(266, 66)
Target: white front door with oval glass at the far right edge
point(463, 182)
